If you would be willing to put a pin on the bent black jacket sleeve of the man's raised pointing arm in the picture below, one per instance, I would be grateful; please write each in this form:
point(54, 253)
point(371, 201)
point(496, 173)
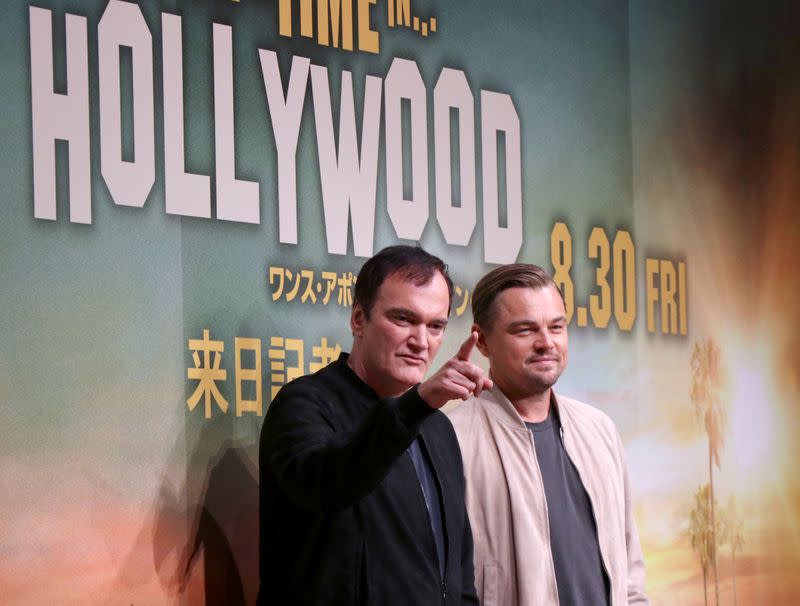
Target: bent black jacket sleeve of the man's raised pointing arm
point(322, 469)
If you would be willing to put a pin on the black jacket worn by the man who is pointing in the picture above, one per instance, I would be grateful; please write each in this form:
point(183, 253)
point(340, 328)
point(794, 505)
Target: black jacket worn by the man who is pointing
point(342, 515)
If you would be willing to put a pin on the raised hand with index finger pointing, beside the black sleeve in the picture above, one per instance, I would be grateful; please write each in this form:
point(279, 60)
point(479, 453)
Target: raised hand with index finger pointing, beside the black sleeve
point(458, 378)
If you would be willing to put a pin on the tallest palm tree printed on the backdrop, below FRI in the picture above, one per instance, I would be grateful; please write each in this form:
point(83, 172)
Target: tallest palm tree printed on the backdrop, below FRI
point(706, 384)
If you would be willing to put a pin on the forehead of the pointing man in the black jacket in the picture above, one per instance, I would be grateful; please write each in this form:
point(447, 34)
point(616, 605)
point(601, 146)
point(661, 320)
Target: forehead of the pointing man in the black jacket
point(429, 300)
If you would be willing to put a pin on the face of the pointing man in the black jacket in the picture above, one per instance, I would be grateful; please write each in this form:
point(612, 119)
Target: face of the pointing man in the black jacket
point(393, 348)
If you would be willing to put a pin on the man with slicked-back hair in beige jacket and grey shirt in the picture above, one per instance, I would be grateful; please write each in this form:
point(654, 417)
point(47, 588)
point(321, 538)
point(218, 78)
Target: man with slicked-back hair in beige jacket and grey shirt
point(547, 484)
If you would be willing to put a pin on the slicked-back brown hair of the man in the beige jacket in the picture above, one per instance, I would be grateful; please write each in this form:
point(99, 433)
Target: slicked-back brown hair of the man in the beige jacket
point(515, 275)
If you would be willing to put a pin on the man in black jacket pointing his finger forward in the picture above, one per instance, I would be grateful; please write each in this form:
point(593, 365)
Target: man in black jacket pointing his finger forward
point(362, 488)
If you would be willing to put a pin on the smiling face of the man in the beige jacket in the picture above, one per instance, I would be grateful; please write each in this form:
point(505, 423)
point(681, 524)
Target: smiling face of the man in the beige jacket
point(527, 342)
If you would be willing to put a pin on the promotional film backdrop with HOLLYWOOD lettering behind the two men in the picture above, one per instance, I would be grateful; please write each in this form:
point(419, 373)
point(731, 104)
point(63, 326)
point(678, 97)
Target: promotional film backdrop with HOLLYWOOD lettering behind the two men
point(189, 191)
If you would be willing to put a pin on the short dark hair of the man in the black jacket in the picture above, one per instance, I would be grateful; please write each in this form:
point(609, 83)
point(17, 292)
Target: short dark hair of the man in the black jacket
point(411, 263)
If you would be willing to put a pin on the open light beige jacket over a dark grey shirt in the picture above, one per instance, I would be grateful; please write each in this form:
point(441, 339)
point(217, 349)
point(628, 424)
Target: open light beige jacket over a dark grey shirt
point(508, 511)
